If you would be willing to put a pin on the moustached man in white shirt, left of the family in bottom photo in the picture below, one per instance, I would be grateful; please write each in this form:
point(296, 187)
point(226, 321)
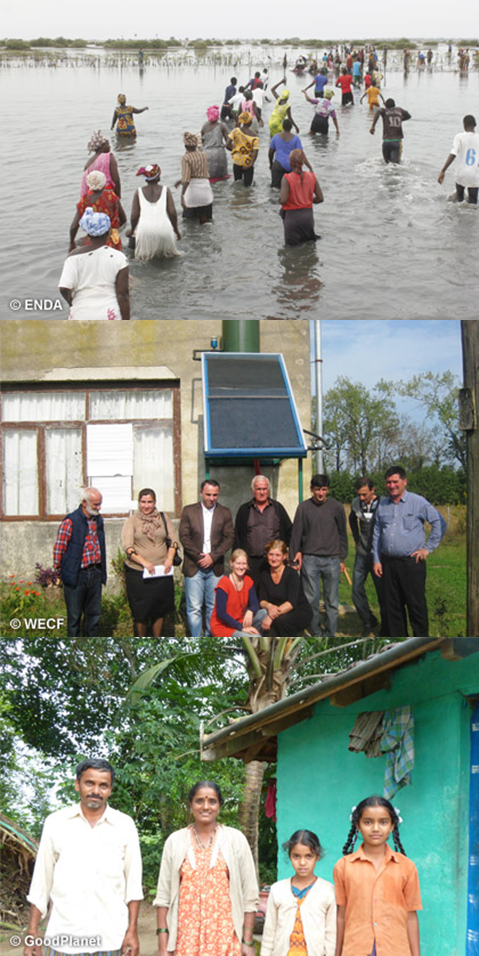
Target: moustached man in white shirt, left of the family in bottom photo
point(88, 867)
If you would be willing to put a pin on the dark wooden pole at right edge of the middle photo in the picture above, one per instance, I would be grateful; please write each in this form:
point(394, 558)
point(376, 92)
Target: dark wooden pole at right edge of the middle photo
point(468, 422)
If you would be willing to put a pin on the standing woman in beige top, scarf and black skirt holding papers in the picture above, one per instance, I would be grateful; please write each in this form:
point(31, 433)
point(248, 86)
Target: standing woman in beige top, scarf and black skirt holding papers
point(148, 539)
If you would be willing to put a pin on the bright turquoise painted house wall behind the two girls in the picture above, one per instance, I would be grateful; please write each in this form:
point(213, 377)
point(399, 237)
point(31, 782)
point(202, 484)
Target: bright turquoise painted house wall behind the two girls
point(319, 781)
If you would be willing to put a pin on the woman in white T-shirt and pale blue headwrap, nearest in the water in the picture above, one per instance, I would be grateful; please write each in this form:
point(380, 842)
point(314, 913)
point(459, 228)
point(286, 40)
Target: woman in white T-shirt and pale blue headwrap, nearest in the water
point(94, 280)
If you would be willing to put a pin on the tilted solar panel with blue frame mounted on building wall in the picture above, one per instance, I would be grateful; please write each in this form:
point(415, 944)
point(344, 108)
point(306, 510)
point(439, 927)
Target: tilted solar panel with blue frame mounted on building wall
point(276, 399)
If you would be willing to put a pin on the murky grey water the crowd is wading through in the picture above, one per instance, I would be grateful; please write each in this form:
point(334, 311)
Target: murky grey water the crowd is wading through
point(392, 246)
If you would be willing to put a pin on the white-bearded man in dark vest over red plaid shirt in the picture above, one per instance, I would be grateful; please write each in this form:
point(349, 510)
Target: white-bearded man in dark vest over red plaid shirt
point(79, 557)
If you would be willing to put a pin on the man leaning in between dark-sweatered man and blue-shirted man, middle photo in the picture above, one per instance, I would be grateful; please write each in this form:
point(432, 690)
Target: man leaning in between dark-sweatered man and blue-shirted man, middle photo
point(361, 521)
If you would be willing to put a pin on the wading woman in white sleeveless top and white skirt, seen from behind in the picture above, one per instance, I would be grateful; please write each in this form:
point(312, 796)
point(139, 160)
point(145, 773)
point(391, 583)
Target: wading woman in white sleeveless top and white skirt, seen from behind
point(154, 222)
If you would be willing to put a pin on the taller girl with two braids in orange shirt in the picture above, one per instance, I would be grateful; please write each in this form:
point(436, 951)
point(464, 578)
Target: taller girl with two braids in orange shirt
point(377, 888)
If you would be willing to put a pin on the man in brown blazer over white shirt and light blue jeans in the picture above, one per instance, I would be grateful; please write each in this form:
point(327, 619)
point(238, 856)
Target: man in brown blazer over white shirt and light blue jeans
point(206, 533)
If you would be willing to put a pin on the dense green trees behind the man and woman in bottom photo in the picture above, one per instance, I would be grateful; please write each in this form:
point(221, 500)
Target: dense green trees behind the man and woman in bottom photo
point(143, 704)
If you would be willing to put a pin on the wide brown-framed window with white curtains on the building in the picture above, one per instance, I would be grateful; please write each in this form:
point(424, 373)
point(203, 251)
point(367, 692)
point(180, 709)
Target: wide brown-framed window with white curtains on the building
point(118, 439)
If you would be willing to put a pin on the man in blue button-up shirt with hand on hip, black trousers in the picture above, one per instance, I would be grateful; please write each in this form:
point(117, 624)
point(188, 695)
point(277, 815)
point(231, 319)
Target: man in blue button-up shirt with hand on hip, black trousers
point(400, 550)
